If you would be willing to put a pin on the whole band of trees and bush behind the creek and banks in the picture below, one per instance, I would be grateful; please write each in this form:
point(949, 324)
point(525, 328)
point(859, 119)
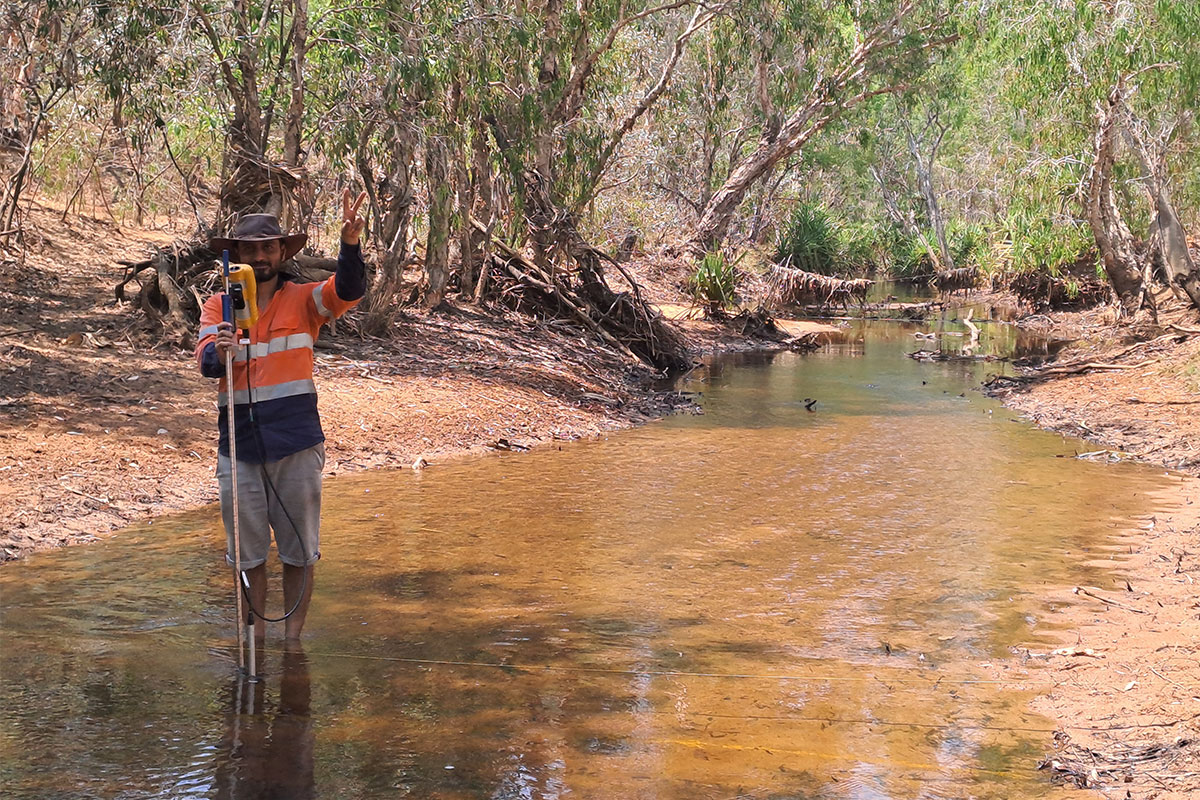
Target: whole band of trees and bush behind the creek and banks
point(514, 153)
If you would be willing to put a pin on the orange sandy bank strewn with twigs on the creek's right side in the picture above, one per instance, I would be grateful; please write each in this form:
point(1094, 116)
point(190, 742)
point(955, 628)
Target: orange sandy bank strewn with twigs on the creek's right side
point(1126, 687)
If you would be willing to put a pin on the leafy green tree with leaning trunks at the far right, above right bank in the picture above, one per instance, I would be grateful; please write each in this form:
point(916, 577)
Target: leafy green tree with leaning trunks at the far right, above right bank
point(1088, 77)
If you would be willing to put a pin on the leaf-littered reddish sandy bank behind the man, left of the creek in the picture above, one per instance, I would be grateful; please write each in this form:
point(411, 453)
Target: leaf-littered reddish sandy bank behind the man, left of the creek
point(103, 425)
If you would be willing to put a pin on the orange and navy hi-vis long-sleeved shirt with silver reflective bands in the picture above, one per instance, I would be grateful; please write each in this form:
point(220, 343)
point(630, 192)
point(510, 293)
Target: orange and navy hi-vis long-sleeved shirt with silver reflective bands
point(275, 398)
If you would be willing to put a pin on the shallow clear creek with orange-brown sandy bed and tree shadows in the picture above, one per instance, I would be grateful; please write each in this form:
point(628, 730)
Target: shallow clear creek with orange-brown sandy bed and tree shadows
point(763, 601)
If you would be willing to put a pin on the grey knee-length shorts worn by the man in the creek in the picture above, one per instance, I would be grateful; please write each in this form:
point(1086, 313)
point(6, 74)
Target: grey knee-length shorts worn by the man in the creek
point(274, 496)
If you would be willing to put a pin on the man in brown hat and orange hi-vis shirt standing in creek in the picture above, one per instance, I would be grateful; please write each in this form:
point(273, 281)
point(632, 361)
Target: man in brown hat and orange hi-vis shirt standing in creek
point(281, 449)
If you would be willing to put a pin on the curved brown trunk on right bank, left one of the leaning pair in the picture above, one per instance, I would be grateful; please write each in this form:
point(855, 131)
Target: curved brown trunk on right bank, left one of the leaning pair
point(1114, 240)
